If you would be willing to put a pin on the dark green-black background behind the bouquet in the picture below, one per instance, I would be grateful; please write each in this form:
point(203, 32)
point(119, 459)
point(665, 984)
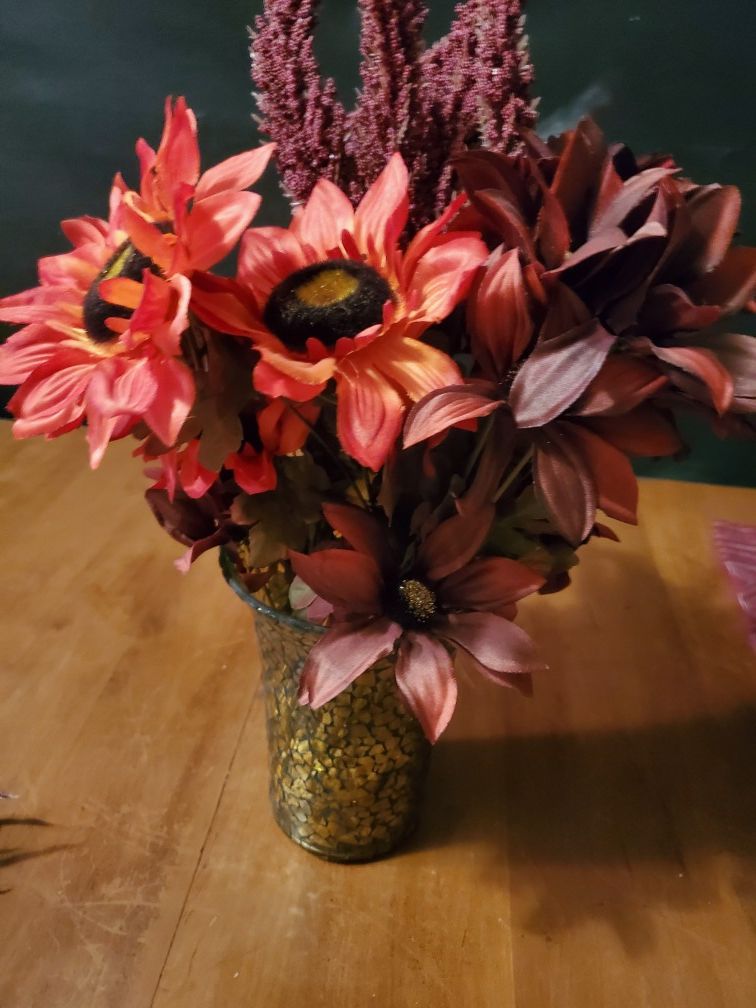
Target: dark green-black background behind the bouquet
point(81, 80)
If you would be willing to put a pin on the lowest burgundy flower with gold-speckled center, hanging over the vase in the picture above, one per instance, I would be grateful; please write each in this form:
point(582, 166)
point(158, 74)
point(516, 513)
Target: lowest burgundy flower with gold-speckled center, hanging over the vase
point(446, 599)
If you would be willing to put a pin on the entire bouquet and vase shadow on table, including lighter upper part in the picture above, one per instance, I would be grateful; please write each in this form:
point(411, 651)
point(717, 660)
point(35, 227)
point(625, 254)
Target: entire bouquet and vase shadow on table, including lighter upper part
point(657, 811)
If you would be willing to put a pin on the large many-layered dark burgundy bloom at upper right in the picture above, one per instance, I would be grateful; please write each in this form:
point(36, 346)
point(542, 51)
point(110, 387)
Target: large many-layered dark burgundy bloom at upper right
point(647, 256)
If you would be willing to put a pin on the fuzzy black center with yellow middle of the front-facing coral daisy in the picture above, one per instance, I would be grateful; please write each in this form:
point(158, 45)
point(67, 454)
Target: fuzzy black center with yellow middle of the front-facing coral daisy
point(327, 302)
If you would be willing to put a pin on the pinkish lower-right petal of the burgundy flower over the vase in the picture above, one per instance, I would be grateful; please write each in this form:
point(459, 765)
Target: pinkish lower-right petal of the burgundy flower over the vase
point(498, 645)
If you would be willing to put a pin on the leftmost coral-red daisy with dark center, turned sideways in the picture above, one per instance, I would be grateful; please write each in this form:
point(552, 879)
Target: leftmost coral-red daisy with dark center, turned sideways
point(101, 341)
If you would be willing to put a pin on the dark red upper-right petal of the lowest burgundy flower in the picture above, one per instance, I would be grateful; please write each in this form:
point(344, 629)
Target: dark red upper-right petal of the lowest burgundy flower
point(488, 584)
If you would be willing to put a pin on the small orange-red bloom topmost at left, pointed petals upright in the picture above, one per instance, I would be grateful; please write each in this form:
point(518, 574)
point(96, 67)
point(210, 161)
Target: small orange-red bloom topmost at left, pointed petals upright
point(184, 220)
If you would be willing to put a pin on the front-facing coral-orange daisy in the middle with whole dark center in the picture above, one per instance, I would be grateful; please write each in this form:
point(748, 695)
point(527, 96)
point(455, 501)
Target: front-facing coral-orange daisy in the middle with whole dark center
point(335, 298)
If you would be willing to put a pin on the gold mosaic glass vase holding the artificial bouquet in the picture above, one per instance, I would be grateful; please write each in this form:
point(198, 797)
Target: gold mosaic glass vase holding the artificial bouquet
point(346, 781)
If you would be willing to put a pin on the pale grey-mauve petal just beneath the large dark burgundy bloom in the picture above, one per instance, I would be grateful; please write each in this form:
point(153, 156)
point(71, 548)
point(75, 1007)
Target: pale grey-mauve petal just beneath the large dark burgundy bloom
point(558, 372)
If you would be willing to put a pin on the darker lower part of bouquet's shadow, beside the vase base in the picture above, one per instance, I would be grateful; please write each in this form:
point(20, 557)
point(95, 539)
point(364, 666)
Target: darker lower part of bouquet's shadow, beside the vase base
point(603, 826)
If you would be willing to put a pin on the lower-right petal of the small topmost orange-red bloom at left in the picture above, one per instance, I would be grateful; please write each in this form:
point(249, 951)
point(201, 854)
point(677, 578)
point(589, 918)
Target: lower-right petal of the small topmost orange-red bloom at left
point(216, 225)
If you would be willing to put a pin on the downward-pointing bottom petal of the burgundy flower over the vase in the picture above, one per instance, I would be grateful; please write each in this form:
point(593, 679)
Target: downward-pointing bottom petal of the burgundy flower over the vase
point(426, 680)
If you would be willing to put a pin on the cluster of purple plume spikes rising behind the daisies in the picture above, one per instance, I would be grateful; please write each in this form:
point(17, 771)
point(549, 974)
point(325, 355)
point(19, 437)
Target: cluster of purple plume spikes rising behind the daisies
point(470, 90)
